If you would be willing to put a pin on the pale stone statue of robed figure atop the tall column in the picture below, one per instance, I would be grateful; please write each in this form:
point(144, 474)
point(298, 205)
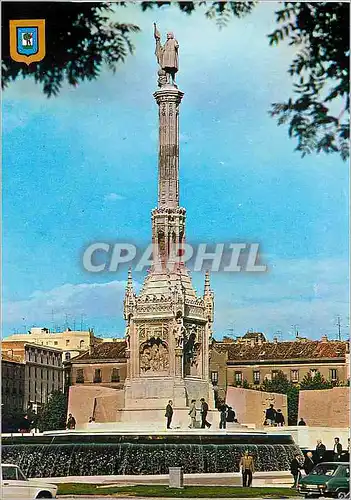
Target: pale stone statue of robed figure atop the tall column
point(167, 56)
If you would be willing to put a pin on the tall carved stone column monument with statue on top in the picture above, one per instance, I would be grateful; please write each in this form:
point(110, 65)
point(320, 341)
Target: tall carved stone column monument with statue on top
point(169, 327)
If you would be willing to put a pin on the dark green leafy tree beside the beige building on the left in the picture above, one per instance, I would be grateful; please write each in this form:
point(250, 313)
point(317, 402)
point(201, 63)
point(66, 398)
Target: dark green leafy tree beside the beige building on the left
point(53, 414)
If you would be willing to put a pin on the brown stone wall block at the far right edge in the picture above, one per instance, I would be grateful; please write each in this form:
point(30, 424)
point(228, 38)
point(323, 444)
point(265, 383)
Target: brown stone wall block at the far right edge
point(325, 408)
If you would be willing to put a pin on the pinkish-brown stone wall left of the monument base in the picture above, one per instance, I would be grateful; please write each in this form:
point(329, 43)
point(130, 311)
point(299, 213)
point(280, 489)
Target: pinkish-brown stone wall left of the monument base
point(81, 403)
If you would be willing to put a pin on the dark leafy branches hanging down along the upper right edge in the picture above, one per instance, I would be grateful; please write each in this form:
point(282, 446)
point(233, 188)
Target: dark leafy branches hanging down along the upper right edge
point(318, 115)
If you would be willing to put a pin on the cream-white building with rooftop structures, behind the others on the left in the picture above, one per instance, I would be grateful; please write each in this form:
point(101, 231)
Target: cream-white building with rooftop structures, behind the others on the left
point(71, 342)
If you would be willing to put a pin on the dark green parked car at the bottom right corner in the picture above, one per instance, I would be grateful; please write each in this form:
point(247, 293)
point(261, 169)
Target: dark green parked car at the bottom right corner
point(328, 479)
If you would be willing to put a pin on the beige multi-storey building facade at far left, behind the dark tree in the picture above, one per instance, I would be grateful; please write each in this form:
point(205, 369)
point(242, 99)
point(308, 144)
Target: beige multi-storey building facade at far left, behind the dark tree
point(43, 371)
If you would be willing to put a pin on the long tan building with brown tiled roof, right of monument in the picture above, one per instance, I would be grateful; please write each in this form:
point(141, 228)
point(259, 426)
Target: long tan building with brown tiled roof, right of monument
point(251, 361)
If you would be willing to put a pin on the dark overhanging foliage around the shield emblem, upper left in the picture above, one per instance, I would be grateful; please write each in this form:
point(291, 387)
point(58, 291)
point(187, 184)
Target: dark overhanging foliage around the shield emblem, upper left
point(80, 39)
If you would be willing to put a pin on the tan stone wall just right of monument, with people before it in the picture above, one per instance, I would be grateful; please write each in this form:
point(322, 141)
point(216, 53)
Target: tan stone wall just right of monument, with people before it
point(250, 405)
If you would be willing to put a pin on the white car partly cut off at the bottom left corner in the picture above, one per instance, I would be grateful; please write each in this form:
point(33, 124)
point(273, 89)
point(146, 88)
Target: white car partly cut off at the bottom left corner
point(15, 485)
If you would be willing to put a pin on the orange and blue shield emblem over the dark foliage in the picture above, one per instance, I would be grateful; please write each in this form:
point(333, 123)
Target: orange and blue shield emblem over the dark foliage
point(27, 40)
